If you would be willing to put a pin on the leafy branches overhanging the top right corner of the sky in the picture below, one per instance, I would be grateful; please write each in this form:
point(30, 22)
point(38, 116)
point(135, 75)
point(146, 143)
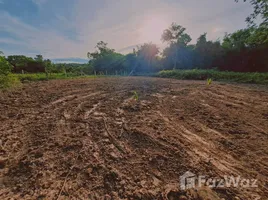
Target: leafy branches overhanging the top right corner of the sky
point(260, 9)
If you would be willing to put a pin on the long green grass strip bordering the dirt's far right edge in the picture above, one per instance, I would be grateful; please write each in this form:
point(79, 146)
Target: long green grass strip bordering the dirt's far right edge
point(196, 74)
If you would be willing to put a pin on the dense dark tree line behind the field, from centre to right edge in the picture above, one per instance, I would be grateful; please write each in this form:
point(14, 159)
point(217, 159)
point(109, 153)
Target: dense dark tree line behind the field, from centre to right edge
point(242, 51)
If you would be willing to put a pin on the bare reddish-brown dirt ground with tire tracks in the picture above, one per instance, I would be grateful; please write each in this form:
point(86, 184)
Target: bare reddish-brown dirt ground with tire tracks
point(90, 139)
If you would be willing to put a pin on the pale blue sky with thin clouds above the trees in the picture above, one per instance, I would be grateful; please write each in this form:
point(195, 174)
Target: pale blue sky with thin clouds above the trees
point(68, 29)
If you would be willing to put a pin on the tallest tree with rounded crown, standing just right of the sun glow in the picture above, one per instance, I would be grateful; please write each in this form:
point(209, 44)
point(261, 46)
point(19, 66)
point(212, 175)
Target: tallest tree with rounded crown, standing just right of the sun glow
point(177, 38)
